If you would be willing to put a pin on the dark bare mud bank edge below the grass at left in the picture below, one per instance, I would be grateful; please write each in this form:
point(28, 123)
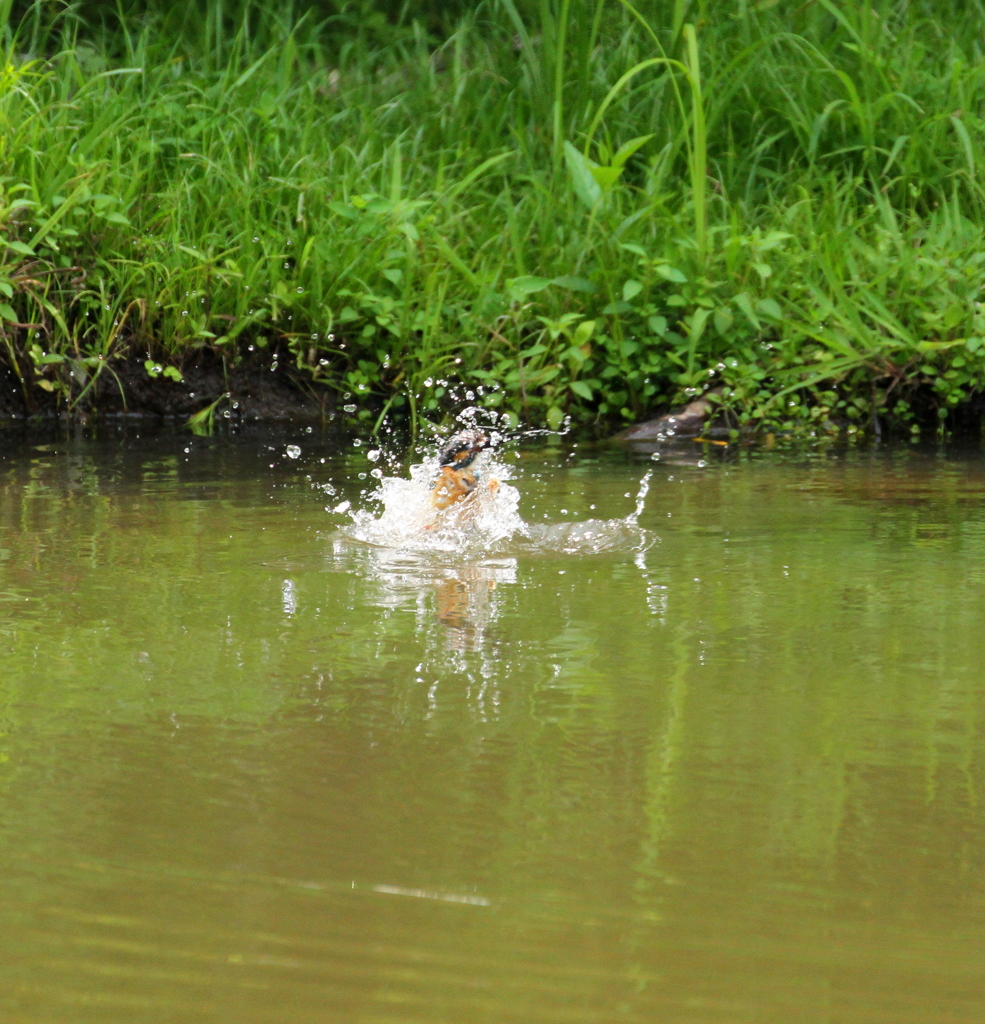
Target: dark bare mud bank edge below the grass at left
point(249, 391)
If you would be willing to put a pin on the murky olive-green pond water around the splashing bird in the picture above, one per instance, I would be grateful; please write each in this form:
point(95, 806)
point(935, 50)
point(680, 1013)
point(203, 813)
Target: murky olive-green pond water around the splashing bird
point(730, 770)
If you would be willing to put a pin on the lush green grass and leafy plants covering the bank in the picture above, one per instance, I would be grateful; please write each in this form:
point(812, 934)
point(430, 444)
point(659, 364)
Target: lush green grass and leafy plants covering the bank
point(582, 209)
